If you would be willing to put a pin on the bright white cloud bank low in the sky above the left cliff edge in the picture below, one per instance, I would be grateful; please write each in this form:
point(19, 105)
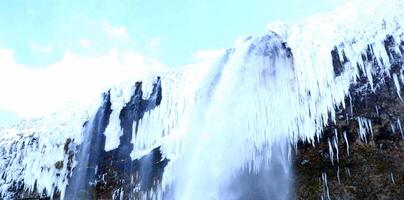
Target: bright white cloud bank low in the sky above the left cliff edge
point(31, 92)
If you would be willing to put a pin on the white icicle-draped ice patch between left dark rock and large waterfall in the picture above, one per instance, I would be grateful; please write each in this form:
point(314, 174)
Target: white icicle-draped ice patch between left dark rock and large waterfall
point(157, 125)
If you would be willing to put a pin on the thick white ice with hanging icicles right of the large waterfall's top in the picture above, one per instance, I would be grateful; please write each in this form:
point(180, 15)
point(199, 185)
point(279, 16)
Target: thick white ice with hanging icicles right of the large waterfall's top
point(351, 28)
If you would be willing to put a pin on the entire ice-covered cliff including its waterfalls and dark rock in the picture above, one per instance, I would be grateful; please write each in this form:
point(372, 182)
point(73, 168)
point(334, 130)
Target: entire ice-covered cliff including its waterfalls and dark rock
point(316, 105)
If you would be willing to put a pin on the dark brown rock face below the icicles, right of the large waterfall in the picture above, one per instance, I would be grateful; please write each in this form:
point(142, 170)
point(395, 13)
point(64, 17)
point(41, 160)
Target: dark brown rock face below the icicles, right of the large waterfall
point(369, 138)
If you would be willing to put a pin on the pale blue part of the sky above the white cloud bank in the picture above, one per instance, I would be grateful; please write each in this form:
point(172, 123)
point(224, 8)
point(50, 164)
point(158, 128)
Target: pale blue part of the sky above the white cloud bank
point(41, 33)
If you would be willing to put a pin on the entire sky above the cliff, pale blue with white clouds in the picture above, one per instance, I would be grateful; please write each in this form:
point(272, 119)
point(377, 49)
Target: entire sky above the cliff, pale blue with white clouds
point(54, 52)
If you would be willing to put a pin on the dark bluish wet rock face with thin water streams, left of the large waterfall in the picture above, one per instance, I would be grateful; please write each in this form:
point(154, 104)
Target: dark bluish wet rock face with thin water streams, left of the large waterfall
point(112, 173)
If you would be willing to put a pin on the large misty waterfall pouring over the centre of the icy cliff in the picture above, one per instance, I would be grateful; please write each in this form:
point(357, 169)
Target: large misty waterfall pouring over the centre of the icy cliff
point(240, 127)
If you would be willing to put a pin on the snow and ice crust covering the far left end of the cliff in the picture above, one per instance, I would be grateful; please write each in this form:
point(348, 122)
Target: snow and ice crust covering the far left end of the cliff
point(30, 150)
